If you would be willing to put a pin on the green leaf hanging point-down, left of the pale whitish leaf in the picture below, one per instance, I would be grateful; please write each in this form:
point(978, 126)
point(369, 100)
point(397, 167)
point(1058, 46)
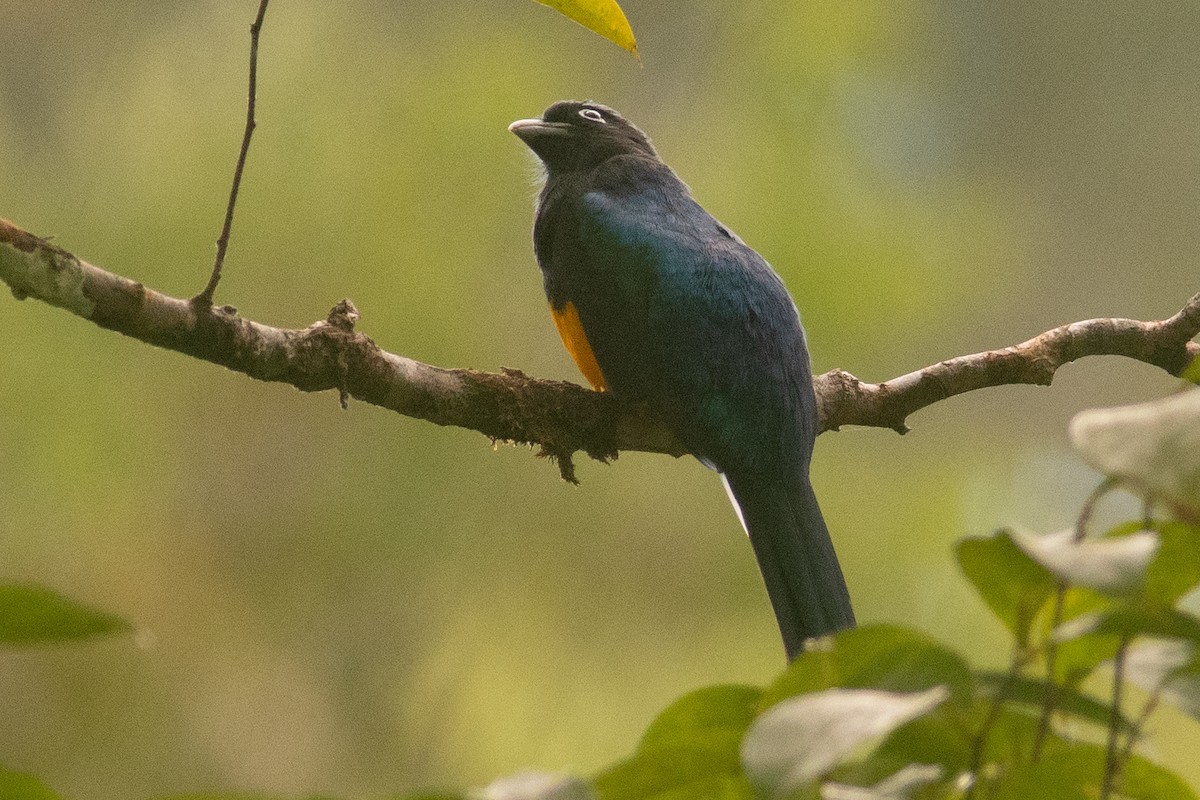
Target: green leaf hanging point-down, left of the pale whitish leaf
point(1015, 586)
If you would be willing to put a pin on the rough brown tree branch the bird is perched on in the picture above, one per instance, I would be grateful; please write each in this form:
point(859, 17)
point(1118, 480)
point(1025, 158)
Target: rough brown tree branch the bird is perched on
point(560, 418)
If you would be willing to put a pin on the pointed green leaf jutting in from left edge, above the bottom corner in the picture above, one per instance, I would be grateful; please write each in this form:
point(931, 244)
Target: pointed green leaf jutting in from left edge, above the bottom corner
point(34, 615)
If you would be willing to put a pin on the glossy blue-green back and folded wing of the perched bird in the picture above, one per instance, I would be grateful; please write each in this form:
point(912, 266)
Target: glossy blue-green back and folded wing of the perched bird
point(680, 312)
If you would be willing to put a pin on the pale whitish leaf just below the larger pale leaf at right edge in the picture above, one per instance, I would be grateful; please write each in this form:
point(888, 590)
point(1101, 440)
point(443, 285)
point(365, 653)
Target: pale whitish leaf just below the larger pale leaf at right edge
point(1113, 566)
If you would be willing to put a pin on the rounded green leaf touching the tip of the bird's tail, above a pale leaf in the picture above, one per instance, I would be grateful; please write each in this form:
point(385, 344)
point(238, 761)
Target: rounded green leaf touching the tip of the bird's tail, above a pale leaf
point(874, 657)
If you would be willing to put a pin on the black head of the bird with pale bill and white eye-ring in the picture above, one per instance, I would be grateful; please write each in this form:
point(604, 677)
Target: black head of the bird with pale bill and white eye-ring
point(574, 135)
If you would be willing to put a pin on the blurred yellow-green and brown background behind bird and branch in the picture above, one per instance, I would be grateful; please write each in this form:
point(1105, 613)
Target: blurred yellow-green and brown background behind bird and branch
point(362, 604)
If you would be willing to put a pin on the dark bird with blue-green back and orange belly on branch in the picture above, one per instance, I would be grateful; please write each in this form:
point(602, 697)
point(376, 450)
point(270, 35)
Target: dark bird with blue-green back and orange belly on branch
point(664, 306)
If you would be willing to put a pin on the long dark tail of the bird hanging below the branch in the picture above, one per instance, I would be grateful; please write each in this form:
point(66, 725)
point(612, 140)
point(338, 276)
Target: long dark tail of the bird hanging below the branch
point(796, 556)
